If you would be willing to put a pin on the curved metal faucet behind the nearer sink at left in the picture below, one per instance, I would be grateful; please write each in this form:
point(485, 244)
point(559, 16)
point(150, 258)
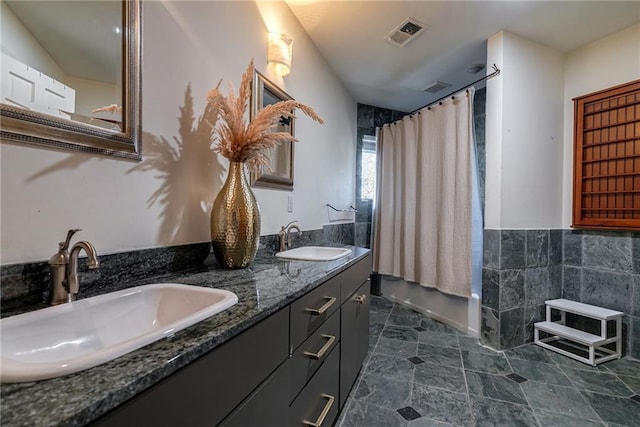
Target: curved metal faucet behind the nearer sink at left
point(64, 269)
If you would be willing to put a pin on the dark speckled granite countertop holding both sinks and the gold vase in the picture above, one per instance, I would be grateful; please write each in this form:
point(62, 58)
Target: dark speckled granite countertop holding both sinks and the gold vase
point(75, 400)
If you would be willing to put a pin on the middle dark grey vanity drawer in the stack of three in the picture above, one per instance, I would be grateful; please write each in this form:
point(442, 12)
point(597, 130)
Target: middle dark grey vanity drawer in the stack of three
point(312, 353)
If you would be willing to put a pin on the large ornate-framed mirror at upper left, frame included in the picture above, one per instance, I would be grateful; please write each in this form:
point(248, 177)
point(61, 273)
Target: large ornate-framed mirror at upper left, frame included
point(71, 75)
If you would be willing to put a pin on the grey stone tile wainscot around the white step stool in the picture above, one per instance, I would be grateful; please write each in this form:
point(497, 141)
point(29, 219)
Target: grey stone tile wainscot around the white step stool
point(523, 268)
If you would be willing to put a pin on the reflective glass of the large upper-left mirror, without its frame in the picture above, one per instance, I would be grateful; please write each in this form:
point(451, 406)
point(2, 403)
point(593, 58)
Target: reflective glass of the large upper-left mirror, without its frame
point(64, 59)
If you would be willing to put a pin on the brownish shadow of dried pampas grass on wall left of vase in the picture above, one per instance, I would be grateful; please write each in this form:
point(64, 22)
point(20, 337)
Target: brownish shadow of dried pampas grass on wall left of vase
point(191, 173)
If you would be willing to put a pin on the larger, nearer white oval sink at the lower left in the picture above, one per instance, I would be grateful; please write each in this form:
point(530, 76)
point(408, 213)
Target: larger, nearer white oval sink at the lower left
point(68, 338)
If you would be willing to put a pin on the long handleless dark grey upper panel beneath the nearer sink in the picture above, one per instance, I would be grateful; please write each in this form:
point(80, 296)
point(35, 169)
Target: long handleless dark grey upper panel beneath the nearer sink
point(205, 391)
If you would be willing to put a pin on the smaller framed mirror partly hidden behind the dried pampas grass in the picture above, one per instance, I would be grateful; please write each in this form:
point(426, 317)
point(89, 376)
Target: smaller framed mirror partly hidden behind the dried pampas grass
point(280, 174)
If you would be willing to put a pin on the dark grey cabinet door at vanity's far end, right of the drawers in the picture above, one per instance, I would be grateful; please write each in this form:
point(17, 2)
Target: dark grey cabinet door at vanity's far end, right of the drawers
point(354, 336)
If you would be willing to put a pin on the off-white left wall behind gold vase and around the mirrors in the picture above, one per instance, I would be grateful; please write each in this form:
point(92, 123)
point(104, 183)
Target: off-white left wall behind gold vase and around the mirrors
point(185, 44)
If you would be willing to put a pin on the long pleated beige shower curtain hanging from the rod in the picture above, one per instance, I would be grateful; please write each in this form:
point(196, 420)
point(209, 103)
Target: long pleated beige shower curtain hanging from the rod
point(422, 227)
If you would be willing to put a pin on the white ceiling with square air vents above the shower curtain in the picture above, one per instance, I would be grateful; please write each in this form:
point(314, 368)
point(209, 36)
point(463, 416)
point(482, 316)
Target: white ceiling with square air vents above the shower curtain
point(350, 35)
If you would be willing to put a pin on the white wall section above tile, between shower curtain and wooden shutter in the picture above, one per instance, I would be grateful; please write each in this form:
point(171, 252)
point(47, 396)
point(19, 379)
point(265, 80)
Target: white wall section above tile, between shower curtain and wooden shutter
point(524, 134)
